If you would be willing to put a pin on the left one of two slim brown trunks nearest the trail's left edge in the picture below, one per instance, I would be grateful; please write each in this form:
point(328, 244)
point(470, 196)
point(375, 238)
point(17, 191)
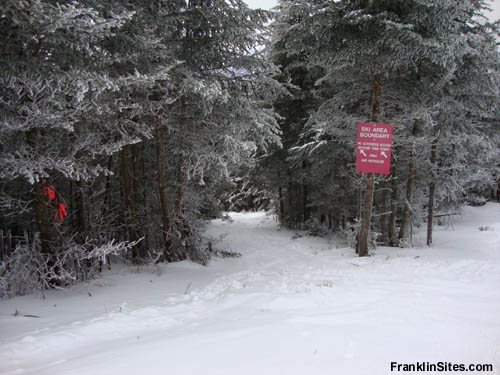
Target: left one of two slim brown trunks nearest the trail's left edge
point(168, 253)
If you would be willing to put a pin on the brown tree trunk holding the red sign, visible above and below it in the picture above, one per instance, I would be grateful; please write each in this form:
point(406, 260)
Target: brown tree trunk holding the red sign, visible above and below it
point(370, 179)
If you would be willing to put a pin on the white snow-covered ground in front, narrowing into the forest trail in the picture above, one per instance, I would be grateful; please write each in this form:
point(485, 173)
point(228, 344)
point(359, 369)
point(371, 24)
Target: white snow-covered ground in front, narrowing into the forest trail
point(288, 306)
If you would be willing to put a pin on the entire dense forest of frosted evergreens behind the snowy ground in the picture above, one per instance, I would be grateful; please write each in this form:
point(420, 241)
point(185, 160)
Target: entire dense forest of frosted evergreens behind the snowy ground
point(127, 124)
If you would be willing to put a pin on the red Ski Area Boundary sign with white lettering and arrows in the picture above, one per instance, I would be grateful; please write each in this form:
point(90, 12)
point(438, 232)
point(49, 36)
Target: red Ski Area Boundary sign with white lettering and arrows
point(373, 152)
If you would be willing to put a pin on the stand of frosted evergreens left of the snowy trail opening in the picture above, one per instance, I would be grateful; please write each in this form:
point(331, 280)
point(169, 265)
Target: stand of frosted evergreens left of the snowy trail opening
point(87, 121)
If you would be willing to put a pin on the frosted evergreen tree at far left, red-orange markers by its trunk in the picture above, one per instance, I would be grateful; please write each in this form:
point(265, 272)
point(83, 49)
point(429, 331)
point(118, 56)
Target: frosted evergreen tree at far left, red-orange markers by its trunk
point(52, 83)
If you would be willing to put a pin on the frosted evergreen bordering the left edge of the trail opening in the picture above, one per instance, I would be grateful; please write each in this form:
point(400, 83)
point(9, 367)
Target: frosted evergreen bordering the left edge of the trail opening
point(220, 89)
